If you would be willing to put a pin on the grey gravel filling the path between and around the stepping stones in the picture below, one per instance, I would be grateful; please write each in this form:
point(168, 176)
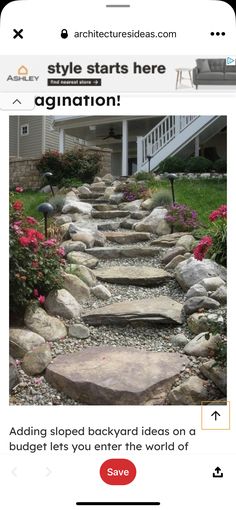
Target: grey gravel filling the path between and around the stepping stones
point(36, 391)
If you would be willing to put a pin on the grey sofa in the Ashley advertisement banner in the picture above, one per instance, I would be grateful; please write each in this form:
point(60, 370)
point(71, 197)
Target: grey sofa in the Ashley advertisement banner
point(213, 71)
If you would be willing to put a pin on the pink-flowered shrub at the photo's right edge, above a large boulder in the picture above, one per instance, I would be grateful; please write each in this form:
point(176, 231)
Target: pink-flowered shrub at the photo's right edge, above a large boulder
point(214, 244)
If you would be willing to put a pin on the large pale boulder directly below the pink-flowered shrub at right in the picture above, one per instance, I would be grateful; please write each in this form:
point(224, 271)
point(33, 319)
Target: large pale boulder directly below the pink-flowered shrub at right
point(193, 271)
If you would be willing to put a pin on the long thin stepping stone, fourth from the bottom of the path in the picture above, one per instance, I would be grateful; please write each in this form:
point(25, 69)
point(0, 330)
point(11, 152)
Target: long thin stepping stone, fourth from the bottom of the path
point(110, 252)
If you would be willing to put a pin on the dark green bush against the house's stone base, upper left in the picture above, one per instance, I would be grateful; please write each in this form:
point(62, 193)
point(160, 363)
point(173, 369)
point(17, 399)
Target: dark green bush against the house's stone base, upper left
point(78, 164)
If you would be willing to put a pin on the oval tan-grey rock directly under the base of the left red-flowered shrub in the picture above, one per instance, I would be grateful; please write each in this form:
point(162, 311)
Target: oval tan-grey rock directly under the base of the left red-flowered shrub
point(40, 322)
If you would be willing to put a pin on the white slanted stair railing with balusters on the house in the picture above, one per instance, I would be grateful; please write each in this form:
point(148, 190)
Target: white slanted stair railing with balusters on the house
point(168, 129)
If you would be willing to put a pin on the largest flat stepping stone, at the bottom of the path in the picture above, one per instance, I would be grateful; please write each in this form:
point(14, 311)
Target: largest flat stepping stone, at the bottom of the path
point(116, 376)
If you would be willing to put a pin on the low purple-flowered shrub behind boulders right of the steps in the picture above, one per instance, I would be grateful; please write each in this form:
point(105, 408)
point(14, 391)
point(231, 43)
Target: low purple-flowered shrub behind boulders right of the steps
point(182, 217)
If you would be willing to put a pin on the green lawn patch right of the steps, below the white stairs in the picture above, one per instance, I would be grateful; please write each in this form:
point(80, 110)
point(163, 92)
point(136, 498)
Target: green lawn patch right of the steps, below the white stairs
point(201, 195)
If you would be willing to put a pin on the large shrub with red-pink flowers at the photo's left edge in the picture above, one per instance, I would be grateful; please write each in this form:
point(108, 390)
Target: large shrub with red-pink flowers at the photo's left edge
point(35, 263)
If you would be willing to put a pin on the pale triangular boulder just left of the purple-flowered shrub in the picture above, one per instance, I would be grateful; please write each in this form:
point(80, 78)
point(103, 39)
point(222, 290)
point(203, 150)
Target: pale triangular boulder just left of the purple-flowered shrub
point(153, 221)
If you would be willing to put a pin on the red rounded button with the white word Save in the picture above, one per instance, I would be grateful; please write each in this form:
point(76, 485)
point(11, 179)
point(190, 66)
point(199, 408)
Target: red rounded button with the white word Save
point(118, 471)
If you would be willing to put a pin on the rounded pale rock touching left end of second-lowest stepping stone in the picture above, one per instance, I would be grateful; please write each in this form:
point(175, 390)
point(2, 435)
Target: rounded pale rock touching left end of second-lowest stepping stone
point(62, 303)
